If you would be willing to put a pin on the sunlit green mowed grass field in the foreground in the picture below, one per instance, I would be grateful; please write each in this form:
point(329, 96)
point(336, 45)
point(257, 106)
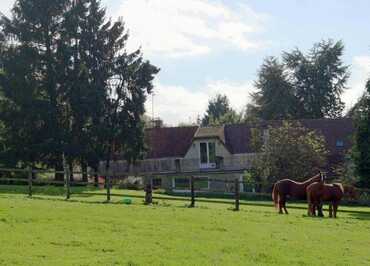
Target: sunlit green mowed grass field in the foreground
point(47, 230)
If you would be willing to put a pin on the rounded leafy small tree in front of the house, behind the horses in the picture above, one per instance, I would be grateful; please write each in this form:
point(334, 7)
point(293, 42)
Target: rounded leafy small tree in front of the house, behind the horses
point(290, 151)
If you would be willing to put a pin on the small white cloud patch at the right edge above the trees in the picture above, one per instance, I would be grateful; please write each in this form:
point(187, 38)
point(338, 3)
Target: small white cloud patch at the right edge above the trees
point(360, 73)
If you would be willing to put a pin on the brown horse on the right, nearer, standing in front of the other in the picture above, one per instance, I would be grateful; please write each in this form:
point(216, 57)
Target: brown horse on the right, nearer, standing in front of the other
point(319, 192)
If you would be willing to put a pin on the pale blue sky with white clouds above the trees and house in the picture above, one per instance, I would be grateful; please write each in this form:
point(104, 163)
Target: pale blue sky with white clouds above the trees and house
point(205, 47)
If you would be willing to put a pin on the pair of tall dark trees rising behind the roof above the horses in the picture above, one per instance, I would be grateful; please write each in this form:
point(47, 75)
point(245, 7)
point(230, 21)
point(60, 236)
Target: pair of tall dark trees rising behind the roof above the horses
point(303, 85)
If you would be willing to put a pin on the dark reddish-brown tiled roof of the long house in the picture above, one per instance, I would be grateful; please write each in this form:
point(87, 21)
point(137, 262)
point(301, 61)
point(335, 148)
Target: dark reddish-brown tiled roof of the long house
point(175, 142)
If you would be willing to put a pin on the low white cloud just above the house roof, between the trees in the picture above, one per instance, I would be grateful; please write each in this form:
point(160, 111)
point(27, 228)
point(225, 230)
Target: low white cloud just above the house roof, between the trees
point(175, 104)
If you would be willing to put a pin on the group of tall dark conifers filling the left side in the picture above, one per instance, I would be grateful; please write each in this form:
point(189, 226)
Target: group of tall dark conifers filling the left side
point(68, 86)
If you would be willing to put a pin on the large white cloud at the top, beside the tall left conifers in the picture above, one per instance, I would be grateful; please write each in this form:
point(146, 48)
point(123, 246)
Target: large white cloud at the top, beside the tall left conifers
point(192, 27)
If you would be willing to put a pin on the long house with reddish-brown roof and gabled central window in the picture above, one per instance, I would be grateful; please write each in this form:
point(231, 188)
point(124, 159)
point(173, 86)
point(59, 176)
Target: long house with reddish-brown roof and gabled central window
point(219, 153)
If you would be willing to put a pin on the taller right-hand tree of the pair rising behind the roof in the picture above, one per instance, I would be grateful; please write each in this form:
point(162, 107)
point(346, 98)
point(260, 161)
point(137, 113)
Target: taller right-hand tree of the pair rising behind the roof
point(319, 78)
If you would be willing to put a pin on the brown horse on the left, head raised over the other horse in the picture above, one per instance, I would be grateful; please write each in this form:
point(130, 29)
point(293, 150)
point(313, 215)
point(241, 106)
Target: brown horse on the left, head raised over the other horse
point(289, 188)
